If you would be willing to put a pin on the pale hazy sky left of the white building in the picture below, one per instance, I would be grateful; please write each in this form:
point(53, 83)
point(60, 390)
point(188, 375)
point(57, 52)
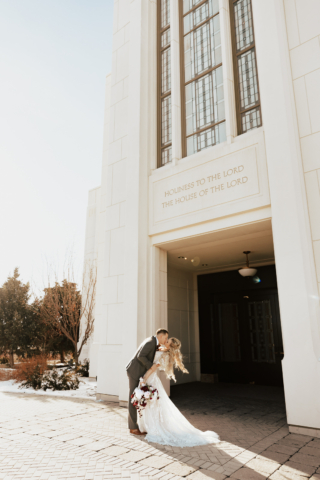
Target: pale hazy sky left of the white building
point(54, 57)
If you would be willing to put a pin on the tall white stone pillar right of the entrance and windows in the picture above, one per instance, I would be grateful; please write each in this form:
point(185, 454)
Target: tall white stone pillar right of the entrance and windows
point(296, 274)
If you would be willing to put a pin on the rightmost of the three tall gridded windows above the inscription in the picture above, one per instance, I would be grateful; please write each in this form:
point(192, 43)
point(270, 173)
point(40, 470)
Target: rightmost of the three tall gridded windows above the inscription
point(245, 66)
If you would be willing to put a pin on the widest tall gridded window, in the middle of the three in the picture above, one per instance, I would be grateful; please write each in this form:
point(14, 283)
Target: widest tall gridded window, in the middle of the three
point(204, 113)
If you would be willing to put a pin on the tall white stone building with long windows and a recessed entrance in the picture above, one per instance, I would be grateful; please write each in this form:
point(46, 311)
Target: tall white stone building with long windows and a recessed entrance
point(212, 148)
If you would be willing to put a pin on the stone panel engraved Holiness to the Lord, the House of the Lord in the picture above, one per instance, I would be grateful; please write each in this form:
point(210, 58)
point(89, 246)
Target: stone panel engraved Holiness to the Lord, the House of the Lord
point(213, 183)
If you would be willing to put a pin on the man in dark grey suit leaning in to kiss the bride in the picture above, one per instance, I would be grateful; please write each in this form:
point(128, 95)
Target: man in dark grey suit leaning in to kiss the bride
point(137, 367)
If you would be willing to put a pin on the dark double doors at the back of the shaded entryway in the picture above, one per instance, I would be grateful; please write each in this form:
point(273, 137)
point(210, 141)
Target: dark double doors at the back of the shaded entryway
point(246, 337)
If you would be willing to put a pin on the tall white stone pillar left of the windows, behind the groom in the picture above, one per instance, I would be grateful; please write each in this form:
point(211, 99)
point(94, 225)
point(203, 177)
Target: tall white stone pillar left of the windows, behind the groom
point(137, 316)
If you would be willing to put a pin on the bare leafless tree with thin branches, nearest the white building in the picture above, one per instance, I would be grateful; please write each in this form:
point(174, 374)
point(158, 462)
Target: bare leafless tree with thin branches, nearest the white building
point(70, 312)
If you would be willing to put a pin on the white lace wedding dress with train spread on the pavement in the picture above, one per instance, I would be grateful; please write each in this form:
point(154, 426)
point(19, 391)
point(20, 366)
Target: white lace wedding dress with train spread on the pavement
point(164, 423)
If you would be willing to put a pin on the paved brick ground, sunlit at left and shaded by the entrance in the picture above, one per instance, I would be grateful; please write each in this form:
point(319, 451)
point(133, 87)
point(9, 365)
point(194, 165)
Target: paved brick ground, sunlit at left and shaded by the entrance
point(56, 438)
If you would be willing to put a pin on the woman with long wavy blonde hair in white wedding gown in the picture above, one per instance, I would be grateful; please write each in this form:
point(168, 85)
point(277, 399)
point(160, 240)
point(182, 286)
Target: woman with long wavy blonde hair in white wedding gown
point(160, 419)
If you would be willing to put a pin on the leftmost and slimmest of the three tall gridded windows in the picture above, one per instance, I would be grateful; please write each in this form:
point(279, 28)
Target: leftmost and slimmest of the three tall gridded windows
point(164, 94)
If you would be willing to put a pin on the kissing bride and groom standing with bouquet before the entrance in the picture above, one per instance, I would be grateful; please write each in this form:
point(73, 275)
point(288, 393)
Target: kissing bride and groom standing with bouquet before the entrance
point(155, 415)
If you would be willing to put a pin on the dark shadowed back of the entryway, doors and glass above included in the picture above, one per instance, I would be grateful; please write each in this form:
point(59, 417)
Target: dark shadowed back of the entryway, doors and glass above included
point(240, 330)
